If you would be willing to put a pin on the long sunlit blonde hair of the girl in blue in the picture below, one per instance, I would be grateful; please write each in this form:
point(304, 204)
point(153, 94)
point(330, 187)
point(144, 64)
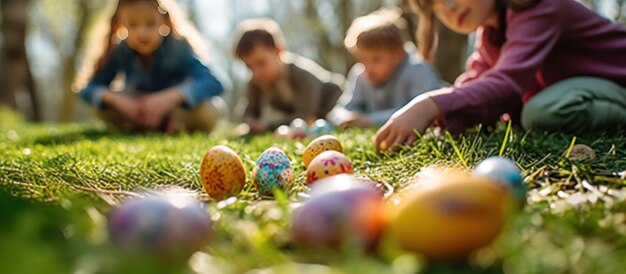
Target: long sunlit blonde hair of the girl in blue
point(176, 24)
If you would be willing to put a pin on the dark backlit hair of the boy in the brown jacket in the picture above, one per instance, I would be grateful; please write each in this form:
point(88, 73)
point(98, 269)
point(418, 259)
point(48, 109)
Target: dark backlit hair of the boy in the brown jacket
point(257, 32)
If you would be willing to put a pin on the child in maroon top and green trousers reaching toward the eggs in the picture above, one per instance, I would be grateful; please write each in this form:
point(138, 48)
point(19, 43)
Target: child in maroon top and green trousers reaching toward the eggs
point(553, 64)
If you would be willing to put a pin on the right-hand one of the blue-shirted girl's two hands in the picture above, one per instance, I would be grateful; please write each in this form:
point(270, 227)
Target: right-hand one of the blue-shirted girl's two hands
point(155, 106)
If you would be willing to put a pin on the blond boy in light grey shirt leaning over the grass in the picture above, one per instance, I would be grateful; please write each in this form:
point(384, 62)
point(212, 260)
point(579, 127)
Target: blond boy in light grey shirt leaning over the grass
point(387, 77)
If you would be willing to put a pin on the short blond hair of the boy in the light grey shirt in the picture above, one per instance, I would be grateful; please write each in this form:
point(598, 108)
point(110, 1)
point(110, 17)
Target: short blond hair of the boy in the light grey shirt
point(380, 29)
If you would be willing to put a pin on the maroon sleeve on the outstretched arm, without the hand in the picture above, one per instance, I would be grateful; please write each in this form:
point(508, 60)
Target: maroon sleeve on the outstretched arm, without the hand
point(531, 35)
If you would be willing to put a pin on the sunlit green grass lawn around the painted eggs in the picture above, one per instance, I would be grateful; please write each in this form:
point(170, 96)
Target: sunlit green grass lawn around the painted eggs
point(63, 180)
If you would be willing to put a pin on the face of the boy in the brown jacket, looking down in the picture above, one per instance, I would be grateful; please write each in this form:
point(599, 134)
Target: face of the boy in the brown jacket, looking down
point(264, 63)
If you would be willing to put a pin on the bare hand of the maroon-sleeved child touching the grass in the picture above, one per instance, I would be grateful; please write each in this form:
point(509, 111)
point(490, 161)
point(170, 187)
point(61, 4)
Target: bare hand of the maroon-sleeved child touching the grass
point(416, 116)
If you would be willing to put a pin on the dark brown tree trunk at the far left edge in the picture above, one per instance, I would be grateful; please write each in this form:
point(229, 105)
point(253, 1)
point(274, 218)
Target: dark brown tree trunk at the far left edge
point(16, 81)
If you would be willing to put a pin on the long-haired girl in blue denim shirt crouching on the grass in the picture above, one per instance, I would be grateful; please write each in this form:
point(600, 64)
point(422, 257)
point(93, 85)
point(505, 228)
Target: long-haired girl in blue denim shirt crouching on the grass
point(167, 88)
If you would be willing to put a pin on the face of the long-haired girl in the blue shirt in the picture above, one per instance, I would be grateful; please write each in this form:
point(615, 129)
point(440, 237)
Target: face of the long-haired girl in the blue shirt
point(143, 21)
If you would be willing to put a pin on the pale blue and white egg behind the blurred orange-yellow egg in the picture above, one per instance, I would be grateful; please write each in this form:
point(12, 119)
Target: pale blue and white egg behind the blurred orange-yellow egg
point(505, 172)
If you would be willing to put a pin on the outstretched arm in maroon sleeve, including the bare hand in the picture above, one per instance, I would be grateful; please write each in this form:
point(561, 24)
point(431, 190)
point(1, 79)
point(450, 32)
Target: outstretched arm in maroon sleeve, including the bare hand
point(531, 35)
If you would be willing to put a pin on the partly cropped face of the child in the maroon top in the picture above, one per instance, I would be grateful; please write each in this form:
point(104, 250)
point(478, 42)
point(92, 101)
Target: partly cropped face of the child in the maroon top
point(465, 16)
